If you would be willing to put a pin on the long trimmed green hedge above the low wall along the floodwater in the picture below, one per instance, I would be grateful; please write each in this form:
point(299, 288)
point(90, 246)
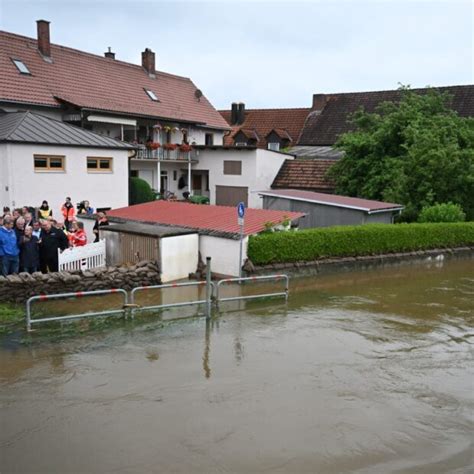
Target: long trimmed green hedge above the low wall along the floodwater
point(351, 241)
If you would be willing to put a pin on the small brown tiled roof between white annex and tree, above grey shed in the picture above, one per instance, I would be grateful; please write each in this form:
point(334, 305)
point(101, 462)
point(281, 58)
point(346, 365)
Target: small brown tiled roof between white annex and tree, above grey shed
point(304, 174)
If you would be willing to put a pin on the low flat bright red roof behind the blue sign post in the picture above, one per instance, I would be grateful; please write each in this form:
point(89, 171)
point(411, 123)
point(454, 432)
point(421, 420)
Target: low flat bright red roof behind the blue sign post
point(210, 220)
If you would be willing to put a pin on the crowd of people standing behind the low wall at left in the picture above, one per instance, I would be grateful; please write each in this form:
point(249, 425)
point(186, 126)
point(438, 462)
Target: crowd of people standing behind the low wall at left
point(31, 237)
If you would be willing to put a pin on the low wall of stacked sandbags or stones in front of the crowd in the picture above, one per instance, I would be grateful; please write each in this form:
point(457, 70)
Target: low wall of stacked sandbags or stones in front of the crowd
point(18, 288)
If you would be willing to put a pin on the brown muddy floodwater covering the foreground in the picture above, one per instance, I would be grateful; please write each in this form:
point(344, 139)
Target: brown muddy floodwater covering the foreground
point(368, 372)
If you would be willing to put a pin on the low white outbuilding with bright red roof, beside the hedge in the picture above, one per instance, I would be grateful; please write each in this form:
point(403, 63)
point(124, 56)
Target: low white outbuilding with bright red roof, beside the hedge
point(217, 226)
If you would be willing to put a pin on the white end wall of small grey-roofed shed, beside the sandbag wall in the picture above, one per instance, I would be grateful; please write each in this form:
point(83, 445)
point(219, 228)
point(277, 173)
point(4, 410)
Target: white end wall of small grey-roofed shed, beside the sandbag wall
point(178, 256)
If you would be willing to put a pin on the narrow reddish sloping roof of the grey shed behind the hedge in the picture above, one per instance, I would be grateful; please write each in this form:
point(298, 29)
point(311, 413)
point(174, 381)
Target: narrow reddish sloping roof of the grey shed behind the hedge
point(365, 205)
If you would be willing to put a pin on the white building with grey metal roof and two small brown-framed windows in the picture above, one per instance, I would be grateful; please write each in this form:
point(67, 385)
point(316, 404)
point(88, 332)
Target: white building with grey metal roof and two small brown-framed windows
point(46, 159)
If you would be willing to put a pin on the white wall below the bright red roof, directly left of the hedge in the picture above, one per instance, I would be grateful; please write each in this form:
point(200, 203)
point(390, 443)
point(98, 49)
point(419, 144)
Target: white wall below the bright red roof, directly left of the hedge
point(224, 253)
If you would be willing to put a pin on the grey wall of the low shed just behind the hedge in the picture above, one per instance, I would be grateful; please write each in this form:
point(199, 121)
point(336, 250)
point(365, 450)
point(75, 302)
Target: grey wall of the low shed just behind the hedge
point(319, 215)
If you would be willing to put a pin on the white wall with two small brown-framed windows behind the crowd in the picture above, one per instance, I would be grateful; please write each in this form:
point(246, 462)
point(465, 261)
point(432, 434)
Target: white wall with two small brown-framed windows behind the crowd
point(29, 187)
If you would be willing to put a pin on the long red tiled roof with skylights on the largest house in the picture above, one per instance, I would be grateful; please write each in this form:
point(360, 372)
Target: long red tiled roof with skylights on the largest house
point(97, 83)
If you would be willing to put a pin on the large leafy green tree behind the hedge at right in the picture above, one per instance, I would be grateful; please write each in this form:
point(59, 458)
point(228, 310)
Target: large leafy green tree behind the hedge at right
point(416, 152)
